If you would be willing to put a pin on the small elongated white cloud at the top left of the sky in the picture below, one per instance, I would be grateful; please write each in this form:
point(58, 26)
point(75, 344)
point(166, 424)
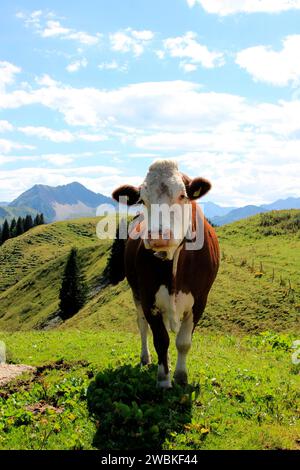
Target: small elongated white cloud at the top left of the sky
point(46, 25)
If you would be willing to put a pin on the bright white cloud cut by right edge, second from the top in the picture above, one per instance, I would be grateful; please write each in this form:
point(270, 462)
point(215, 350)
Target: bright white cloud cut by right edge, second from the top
point(275, 67)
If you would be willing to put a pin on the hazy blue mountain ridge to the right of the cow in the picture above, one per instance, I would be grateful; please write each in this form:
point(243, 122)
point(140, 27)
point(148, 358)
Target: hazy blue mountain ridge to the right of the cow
point(247, 211)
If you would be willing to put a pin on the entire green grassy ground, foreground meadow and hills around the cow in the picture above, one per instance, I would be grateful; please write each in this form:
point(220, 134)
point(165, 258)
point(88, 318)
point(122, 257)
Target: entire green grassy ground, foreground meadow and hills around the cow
point(88, 392)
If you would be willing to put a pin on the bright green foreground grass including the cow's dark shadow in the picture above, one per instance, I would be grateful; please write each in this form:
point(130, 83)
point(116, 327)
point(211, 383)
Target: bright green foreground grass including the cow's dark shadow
point(244, 394)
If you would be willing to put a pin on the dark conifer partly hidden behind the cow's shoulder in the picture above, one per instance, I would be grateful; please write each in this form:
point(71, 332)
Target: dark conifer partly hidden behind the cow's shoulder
point(114, 271)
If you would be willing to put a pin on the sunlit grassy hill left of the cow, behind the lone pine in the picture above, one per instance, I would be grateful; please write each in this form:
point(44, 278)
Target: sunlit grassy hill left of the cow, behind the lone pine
point(31, 268)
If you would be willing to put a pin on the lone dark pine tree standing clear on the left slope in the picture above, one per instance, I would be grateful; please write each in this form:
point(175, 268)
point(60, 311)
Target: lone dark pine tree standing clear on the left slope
point(73, 289)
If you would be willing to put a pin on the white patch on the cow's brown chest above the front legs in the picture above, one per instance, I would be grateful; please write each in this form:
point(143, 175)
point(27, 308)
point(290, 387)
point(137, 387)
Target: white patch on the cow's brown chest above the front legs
point(173, 307)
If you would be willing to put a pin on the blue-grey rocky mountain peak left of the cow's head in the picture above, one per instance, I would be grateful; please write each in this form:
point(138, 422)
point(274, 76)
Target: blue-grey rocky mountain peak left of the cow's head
point(62, 202)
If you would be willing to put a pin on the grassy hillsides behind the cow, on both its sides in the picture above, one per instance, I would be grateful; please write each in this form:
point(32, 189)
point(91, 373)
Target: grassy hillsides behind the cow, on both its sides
point(257, 288)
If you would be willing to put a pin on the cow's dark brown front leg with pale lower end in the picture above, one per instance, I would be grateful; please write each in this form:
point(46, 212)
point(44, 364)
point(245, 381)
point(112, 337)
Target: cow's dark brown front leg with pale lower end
point(161, 343)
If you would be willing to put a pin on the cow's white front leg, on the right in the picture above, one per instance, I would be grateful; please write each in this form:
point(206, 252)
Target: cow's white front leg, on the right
point(183, 344)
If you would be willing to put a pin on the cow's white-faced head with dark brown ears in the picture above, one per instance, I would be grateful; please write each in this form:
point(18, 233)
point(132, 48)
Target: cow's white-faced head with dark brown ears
point(165, 187)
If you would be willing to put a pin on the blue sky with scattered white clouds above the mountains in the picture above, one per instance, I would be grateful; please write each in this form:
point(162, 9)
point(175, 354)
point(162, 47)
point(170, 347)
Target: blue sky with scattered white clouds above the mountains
point(95, 91)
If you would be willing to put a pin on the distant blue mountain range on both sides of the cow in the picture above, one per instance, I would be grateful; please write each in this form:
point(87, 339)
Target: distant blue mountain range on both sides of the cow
point(75, 200)
